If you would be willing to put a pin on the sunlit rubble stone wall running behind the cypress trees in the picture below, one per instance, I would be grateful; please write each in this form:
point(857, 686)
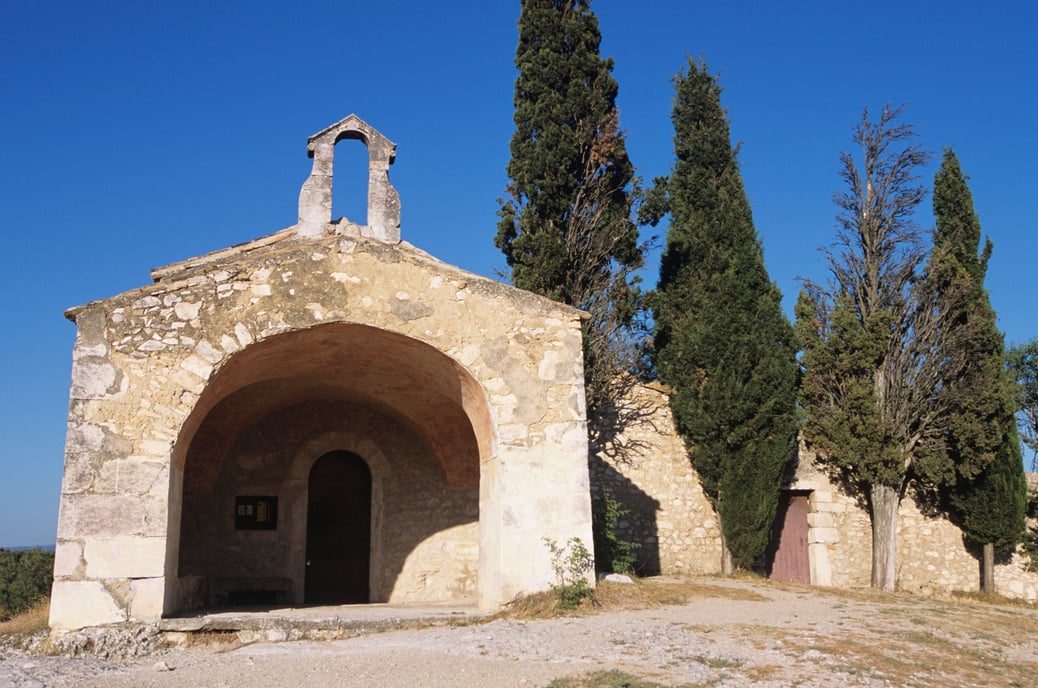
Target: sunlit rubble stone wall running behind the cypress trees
point(678, 532)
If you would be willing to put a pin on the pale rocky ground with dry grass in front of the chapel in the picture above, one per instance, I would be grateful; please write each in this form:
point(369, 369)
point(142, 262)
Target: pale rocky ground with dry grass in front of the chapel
point(728, 634)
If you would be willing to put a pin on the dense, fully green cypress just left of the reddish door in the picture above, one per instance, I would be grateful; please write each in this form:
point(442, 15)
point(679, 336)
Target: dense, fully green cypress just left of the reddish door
point(722, 341)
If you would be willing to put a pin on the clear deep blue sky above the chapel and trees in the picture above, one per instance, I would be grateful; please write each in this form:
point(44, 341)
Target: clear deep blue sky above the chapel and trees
point(138, 134)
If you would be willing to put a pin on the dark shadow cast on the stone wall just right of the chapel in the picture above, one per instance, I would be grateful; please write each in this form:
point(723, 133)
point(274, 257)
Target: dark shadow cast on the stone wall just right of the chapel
point(640, 526)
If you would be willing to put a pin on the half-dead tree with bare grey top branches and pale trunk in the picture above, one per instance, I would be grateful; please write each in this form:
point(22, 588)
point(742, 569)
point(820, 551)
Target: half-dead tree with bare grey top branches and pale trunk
point(877, 363)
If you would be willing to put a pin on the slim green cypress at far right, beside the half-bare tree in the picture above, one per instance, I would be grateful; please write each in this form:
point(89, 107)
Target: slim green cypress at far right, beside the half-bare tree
point(990, 490)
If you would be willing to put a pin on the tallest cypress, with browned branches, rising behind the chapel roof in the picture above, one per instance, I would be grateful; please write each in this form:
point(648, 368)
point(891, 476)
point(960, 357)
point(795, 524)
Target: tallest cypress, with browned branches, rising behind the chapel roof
point(566, 228)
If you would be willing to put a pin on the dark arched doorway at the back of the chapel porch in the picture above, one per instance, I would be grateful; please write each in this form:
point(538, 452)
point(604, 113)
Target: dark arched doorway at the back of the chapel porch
point(339, 530)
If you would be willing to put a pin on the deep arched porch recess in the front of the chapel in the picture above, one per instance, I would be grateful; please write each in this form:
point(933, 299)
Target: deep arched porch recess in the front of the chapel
point(244, 465)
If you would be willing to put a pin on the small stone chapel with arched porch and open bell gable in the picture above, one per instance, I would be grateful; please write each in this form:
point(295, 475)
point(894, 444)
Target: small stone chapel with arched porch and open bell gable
point(325, 415)
